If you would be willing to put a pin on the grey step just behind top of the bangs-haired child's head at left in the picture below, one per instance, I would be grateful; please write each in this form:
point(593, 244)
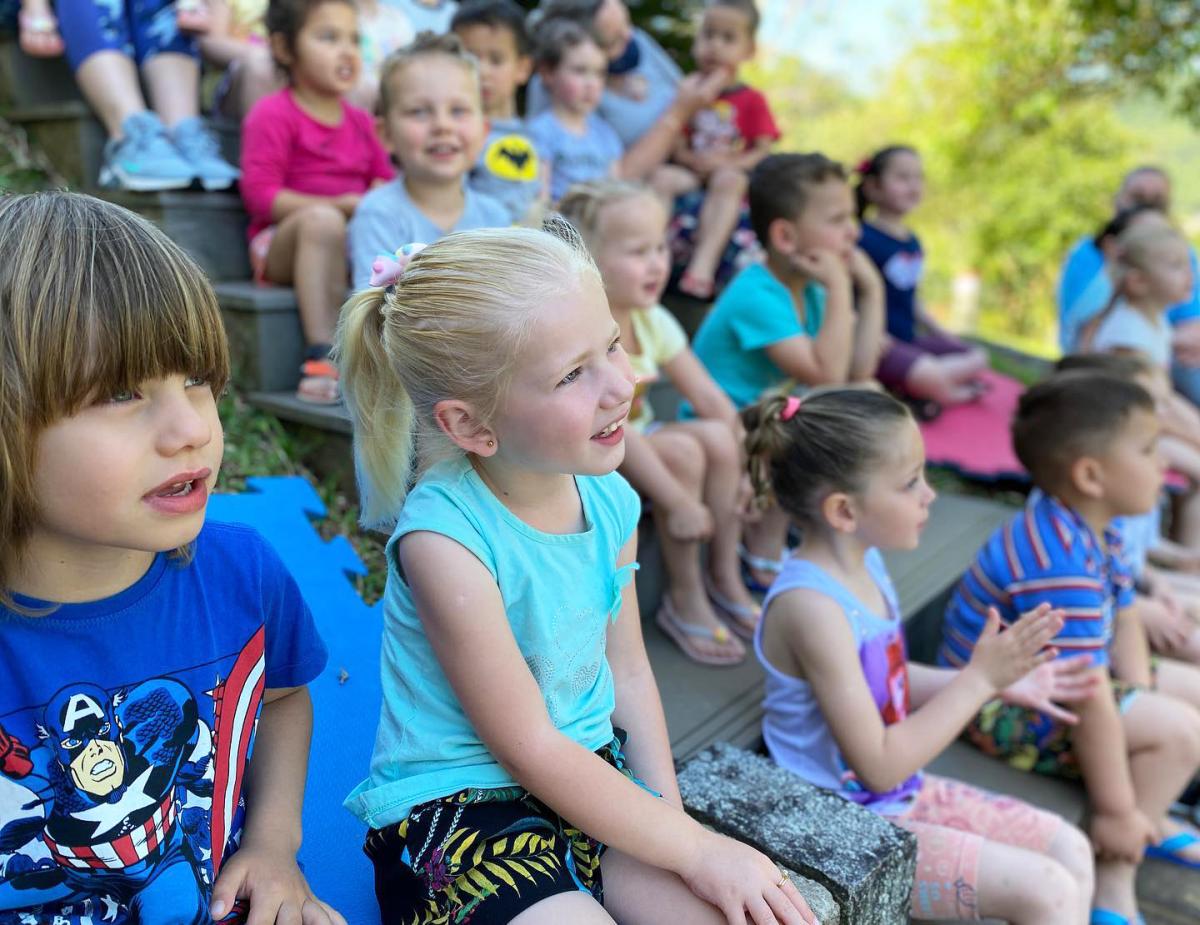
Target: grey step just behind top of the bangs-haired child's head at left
point(212, 227)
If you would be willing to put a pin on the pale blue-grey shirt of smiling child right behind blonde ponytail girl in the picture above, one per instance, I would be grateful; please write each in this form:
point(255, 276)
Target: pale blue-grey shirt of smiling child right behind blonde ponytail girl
point(388, 219)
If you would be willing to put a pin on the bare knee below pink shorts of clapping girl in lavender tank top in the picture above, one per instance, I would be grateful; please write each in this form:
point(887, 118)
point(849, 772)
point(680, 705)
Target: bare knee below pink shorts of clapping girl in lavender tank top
point(1027, 888)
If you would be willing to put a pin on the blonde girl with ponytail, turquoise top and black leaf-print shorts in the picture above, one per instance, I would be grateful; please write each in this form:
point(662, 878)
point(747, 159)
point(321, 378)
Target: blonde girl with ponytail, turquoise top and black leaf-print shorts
point(521, 770)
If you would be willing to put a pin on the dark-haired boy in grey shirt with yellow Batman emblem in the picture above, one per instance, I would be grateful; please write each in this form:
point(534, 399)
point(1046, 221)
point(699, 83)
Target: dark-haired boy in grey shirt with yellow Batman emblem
point(508, 170)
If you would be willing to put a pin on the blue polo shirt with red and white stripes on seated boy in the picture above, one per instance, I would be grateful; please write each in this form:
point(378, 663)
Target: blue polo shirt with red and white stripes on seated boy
point(1046, 554)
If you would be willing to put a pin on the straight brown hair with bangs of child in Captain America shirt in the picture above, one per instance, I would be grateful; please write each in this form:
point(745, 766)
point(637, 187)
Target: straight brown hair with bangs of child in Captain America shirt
point(94, 301)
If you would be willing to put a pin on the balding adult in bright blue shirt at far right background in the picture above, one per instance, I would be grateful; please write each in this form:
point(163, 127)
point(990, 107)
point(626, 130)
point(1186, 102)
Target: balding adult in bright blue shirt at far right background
point(1085, 289)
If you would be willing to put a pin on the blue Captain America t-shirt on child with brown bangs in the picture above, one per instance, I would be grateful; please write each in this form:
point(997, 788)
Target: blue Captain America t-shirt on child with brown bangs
point(127, 728)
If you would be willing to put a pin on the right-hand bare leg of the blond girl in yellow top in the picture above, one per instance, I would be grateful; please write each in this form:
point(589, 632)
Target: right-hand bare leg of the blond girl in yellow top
point(723, 477)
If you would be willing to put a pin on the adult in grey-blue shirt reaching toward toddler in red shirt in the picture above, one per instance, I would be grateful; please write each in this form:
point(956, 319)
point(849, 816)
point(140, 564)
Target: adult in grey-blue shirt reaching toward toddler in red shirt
point(646, 98)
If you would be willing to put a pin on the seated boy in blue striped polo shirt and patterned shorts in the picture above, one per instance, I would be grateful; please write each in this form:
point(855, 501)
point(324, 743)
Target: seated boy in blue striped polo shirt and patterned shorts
point(1090, 443)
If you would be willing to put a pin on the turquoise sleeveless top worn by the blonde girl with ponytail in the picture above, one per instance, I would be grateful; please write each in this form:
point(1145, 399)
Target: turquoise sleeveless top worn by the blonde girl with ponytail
point(560, 592)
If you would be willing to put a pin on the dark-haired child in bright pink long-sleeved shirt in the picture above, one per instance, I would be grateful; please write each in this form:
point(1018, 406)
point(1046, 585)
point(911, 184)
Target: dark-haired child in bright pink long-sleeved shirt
point(308, 159)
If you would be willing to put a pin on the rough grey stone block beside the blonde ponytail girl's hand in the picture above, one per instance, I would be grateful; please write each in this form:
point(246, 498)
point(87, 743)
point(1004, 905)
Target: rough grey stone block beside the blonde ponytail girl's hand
point(865, 862)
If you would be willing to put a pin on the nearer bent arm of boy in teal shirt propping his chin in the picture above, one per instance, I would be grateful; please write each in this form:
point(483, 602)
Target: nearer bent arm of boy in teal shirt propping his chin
point(825, 359)
